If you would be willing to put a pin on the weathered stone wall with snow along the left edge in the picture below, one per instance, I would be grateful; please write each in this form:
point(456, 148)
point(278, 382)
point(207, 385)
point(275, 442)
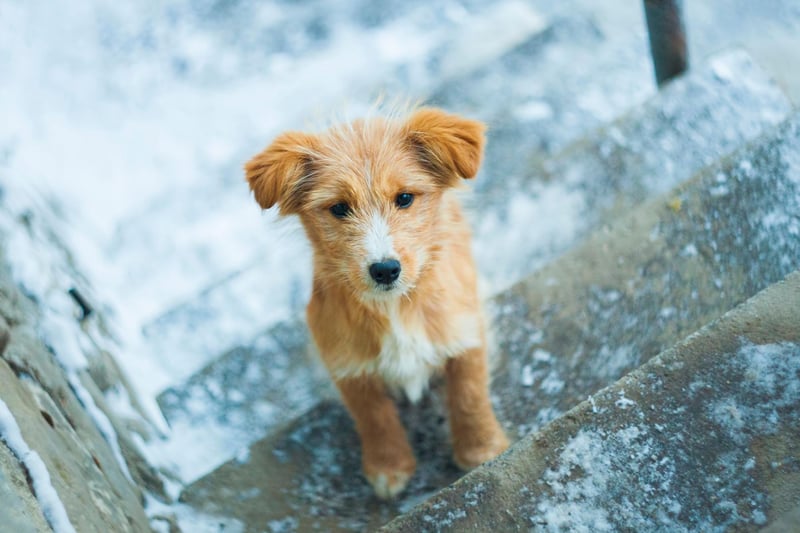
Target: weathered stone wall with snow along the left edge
point(57, 422)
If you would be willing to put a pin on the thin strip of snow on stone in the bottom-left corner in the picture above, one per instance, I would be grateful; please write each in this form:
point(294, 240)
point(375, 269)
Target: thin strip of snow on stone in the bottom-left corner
point(50, 502)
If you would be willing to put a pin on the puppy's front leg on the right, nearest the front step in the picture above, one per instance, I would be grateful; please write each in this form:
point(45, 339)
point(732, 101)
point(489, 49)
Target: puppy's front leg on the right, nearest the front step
point(477, 436)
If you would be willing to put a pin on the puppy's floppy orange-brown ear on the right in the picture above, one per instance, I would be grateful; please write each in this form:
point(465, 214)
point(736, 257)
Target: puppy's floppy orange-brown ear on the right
point(449, 146)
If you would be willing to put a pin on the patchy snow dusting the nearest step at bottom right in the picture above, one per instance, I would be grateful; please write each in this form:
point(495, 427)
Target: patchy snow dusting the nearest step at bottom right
point(650, 476)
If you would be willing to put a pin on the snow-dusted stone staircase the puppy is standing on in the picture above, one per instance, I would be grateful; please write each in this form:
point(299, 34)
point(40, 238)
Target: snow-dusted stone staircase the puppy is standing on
point(679, 210)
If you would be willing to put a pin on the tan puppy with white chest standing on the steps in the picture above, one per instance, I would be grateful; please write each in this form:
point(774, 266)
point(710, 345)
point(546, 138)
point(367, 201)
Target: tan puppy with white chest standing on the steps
point(394, 296)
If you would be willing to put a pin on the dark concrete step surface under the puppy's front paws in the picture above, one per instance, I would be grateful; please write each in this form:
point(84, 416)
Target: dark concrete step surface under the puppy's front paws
point(308, 475)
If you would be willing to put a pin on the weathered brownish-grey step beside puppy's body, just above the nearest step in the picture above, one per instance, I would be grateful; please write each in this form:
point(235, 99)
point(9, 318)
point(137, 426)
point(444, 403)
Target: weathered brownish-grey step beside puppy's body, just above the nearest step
point(654, 276)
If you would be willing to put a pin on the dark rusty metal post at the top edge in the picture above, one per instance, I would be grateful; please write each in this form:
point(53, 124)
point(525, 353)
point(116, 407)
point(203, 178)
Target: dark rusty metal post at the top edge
point(667, 38)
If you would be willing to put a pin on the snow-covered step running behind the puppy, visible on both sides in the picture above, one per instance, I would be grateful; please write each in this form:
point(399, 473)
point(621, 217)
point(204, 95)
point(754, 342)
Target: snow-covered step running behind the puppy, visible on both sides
point(524, 221)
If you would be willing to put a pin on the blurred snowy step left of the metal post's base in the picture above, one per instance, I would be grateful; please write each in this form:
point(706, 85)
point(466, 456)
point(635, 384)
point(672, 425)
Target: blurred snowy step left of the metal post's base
point(553, 89)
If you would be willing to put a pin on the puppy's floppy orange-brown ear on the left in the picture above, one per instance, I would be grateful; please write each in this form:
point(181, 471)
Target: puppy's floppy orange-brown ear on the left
point(279, 174)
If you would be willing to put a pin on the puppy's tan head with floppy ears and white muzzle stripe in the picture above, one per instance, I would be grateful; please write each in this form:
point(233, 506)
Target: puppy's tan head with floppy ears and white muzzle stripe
point(370, 194)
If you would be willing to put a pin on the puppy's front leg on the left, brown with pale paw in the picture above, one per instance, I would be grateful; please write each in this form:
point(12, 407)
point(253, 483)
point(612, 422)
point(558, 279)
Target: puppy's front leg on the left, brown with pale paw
point(386, 457)
